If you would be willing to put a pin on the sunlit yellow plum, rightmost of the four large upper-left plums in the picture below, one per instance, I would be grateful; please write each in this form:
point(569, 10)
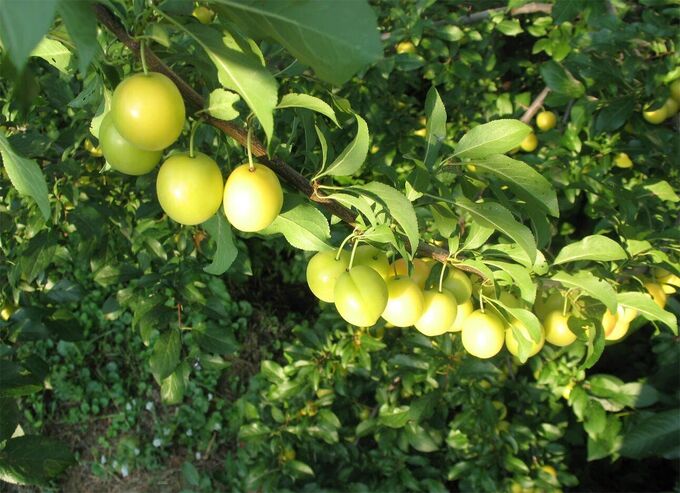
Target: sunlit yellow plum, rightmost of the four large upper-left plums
point(252, 199)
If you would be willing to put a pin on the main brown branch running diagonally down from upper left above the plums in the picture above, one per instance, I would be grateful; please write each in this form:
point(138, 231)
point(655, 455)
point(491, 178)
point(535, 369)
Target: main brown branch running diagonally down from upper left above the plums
point(239, 134)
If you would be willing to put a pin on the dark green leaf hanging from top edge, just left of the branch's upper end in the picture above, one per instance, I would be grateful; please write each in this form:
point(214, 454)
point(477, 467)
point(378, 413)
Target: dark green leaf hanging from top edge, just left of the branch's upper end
point(81, 25)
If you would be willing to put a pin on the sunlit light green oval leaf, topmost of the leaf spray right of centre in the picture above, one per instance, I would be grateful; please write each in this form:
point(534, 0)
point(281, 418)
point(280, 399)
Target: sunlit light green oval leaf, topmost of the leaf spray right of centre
point(496, 137)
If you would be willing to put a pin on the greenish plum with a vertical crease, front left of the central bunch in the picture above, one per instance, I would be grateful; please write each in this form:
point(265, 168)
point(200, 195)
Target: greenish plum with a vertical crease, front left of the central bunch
point(360, 296)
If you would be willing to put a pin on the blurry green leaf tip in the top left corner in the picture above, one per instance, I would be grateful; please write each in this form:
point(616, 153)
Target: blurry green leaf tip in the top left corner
point(22, 26)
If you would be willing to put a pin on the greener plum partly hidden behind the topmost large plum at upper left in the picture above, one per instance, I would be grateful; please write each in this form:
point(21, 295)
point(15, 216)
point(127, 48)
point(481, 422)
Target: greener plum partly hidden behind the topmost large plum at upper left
point(121, 154)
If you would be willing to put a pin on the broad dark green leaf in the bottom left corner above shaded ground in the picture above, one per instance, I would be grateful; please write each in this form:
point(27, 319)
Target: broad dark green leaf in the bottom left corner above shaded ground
point(33, 459)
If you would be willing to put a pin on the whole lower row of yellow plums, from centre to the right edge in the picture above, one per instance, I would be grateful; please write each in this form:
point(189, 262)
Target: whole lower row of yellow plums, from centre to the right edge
point(365, 287)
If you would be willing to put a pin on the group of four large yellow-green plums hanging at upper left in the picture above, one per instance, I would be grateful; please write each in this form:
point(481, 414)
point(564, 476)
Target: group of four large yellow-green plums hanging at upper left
point(147, 116)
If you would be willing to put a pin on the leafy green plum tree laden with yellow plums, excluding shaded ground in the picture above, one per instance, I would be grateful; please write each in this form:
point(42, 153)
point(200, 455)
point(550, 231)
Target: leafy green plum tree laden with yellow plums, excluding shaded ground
point(472, 195)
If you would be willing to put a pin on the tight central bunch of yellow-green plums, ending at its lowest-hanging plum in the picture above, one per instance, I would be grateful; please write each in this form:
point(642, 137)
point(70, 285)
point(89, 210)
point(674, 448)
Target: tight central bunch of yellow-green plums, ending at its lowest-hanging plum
point(364, 287)
